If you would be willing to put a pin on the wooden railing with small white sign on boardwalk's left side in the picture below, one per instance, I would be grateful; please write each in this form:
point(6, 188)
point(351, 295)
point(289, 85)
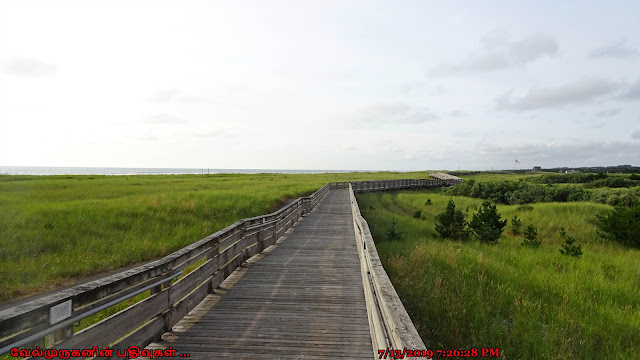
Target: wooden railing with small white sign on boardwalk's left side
point(27, 325)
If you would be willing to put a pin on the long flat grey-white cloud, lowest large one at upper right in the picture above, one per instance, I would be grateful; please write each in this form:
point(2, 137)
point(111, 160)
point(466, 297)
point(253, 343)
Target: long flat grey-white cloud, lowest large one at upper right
point(576, 92)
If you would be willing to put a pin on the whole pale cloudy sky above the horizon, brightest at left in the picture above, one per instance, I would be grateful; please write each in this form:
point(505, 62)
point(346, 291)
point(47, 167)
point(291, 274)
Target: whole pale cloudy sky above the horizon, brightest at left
point(377, 85)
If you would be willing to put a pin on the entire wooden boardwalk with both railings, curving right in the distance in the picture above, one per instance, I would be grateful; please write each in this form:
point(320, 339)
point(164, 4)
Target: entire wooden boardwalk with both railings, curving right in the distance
point(315, 295)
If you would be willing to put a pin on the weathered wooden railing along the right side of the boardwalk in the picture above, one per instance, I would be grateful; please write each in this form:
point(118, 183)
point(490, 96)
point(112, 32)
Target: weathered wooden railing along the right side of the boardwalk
point(389, 324)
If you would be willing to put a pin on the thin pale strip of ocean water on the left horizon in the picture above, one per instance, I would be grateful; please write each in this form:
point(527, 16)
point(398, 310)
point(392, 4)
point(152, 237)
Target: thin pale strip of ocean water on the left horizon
point(42, 170)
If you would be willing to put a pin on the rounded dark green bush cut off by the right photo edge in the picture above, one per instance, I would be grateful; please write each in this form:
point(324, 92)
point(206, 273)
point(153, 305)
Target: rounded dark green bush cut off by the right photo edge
point(621, 225)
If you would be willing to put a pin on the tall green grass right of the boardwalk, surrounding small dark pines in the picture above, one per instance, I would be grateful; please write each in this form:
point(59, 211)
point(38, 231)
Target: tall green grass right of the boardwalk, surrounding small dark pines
point(531, 303)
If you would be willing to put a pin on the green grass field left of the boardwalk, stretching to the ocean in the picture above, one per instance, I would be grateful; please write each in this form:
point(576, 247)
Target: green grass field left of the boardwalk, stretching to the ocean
point(56, 230)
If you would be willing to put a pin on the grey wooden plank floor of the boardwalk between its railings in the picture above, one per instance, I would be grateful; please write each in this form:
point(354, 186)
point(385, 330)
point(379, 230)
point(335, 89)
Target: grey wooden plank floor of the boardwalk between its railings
point(303, 299)
